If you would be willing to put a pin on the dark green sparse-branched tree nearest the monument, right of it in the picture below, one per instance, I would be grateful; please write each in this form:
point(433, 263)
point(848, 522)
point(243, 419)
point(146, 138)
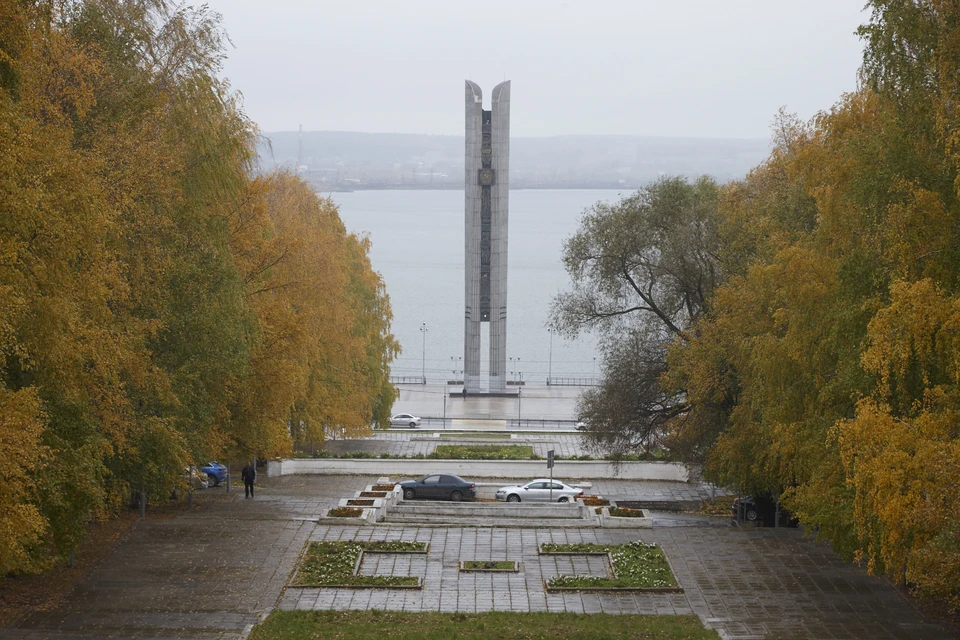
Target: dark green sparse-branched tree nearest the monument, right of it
point(642, 270)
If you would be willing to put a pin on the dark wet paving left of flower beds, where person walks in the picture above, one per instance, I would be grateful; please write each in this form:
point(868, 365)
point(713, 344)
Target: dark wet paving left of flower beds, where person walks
point(208, 574)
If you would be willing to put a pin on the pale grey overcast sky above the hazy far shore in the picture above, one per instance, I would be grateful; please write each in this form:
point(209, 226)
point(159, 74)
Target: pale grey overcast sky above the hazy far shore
point(705, 68)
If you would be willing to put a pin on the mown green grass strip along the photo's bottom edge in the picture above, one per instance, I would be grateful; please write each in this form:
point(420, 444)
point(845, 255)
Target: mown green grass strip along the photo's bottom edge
point(350, 625)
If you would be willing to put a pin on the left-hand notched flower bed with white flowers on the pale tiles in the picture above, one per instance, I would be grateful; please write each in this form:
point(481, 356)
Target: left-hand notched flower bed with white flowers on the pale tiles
point(336, 564)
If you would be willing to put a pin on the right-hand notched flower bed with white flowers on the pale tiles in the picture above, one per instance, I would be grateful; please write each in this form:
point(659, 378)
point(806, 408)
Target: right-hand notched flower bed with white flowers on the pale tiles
point(636, 566)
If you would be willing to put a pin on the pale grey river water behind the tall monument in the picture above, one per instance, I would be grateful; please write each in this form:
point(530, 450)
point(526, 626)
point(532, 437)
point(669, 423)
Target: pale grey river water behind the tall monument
point(418, 245)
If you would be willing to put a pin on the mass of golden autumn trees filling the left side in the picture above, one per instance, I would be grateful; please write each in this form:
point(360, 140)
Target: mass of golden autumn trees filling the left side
point(161, 304)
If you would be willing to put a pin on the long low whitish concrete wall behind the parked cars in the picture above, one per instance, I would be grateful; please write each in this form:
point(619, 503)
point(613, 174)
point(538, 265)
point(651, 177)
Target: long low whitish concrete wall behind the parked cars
point(471, 469)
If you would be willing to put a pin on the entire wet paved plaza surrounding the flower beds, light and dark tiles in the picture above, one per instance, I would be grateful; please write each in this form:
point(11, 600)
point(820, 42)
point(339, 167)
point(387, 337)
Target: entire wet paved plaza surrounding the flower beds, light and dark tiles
point(211, 574)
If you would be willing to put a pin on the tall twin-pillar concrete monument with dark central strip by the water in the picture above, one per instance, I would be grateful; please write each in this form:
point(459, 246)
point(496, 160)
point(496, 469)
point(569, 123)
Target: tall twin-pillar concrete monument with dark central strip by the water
point(486, 187)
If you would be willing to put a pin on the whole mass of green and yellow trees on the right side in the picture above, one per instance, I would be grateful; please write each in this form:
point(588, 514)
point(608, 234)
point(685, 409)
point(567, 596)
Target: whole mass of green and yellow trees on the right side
point(798, 331)
